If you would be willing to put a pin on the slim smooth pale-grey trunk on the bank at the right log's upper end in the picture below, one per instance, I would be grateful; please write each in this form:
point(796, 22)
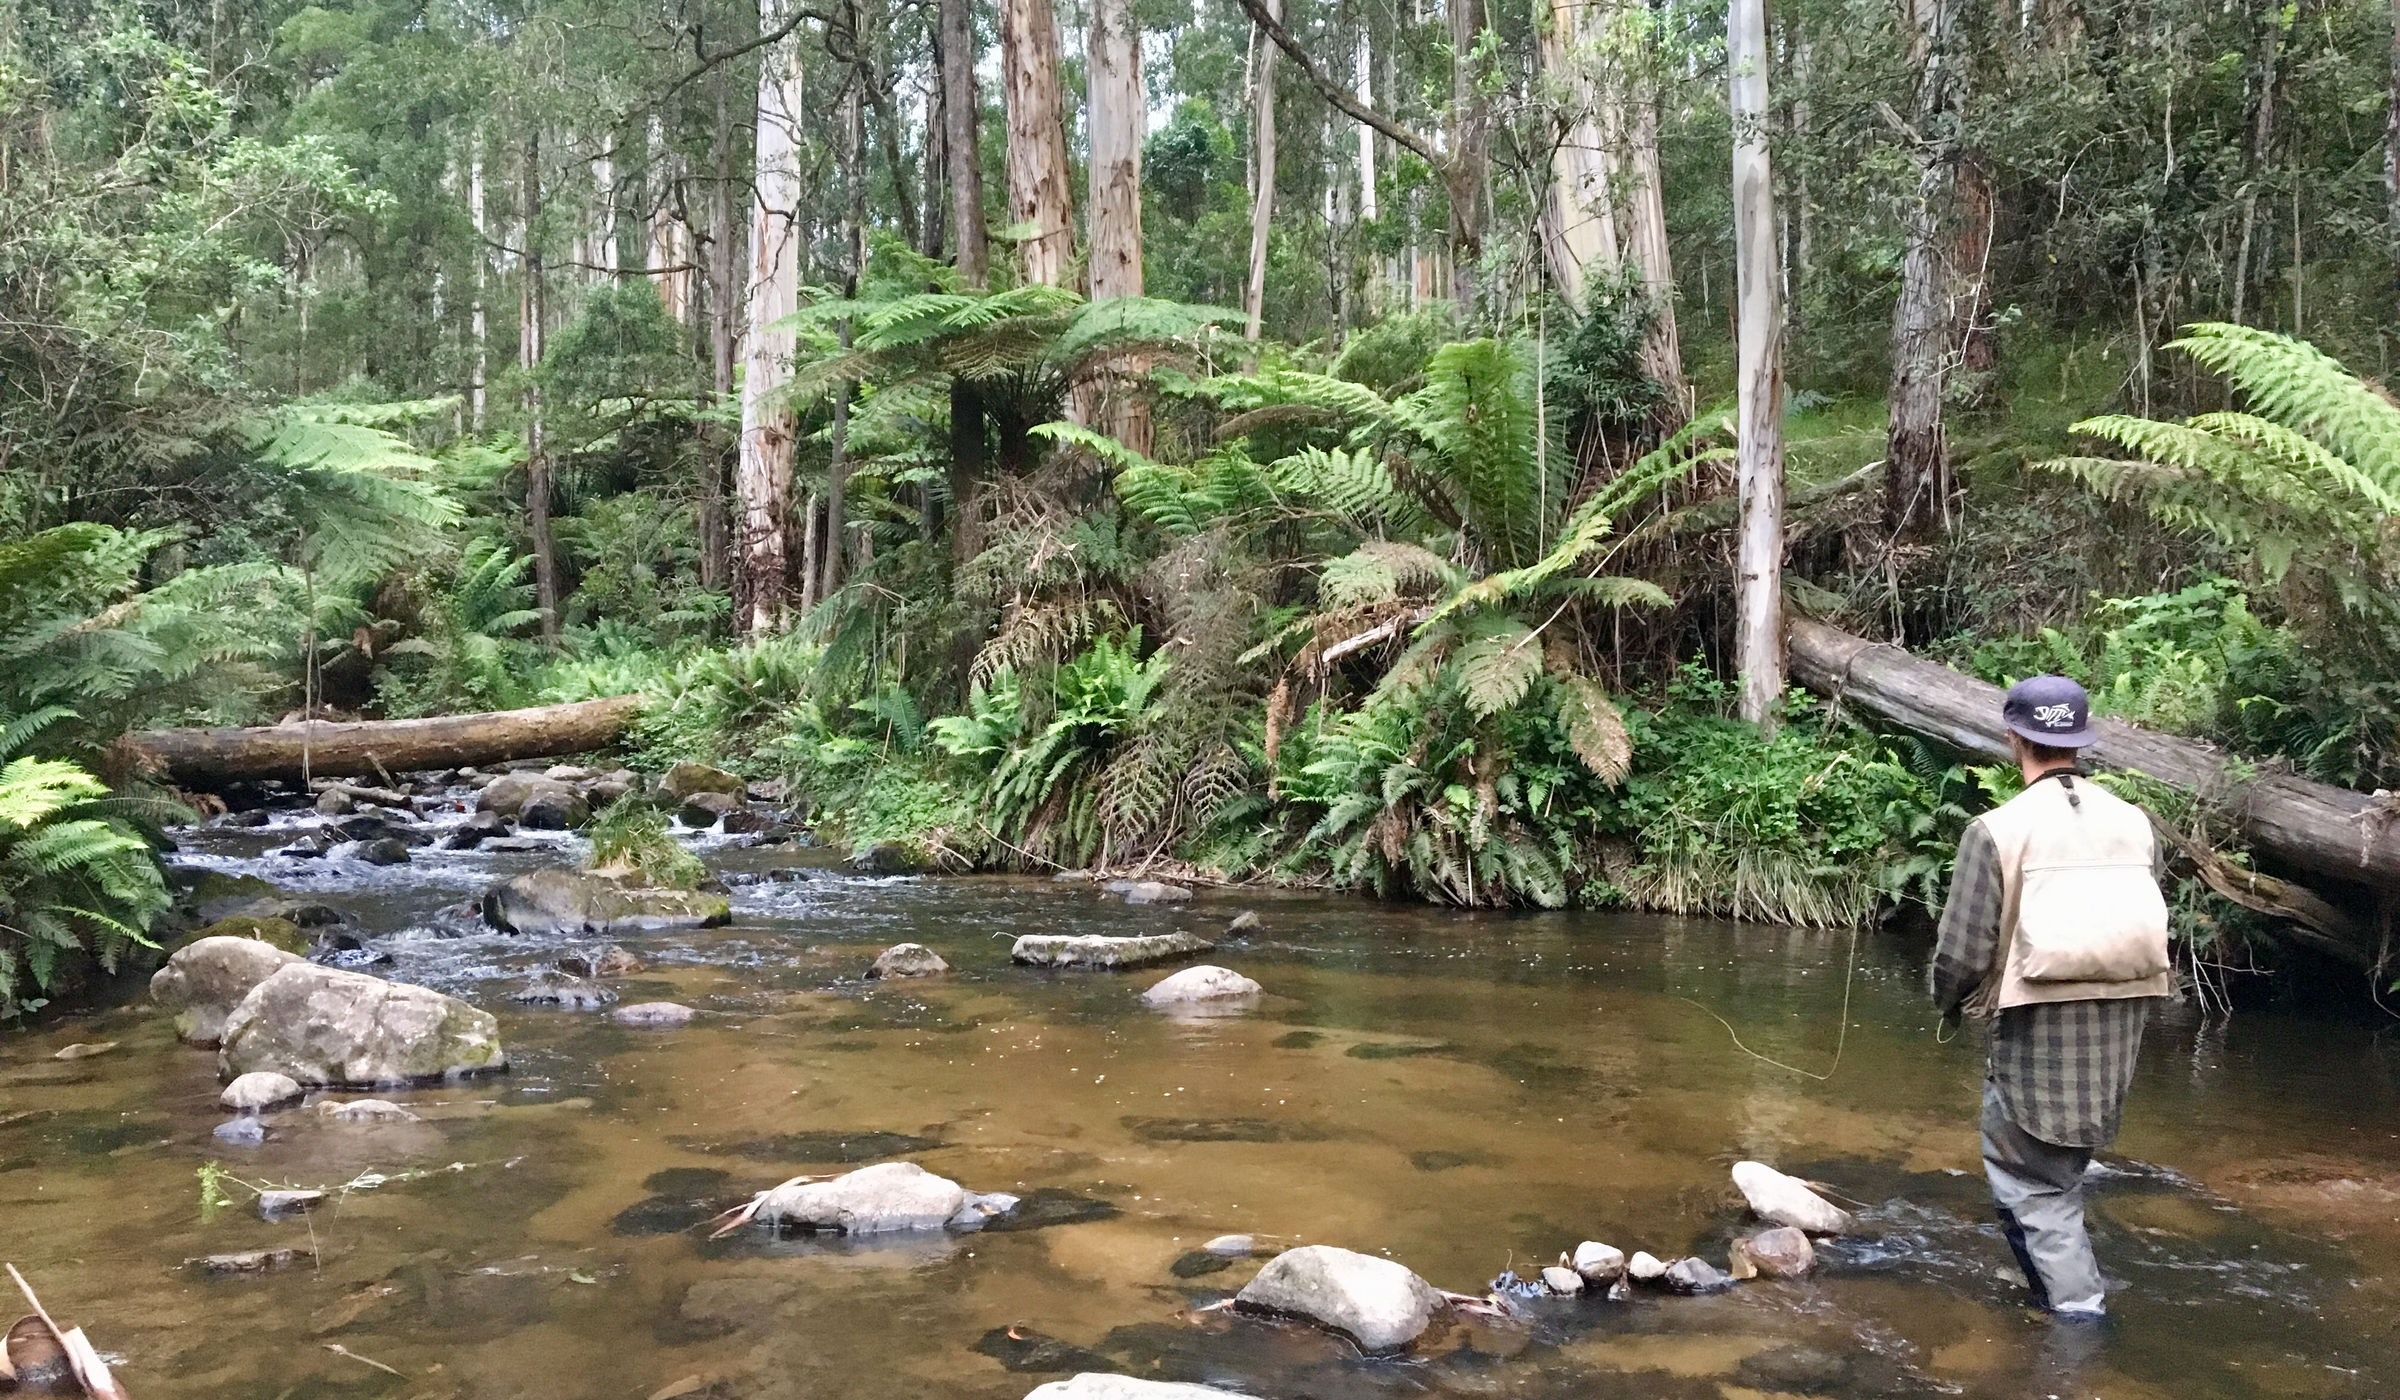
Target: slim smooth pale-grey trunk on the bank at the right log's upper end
point(1758, 369)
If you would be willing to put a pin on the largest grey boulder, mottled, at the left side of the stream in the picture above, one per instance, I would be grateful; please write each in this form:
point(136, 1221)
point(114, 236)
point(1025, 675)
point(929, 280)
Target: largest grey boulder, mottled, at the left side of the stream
point(325, 1027)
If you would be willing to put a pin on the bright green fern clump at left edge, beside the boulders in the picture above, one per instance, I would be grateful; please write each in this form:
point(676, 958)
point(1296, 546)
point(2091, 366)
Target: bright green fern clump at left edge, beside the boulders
point(78, 883)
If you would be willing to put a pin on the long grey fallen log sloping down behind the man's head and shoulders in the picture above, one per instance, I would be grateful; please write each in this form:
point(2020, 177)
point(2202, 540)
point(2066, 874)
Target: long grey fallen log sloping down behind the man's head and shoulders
point(2298, 825)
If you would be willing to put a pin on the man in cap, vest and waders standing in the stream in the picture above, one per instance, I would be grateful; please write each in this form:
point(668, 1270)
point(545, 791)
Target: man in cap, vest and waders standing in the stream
point(2053, 933)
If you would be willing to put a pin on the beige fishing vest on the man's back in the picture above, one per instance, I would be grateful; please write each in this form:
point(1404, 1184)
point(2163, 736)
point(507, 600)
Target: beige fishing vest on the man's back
point(2082, 916)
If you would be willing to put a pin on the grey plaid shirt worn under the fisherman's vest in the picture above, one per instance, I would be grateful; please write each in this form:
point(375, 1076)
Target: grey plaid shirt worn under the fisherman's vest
point(2063, 1067)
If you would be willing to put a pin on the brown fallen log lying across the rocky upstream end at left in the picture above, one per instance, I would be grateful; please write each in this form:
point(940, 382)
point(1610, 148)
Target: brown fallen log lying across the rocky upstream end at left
point(380, 748)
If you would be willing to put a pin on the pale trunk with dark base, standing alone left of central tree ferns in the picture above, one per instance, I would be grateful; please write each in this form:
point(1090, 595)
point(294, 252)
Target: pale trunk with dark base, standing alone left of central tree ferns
point(764, 469)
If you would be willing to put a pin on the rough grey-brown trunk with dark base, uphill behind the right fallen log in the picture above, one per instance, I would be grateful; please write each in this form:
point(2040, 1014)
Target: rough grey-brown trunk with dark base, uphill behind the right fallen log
point(1924, 333)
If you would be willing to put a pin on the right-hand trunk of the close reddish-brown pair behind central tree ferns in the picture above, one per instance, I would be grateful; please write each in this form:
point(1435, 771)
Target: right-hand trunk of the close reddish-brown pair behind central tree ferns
point(1117, 126)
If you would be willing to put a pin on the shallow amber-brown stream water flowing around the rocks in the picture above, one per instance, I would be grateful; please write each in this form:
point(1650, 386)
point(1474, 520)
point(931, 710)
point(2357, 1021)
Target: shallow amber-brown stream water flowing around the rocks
point(1465, 1094)
